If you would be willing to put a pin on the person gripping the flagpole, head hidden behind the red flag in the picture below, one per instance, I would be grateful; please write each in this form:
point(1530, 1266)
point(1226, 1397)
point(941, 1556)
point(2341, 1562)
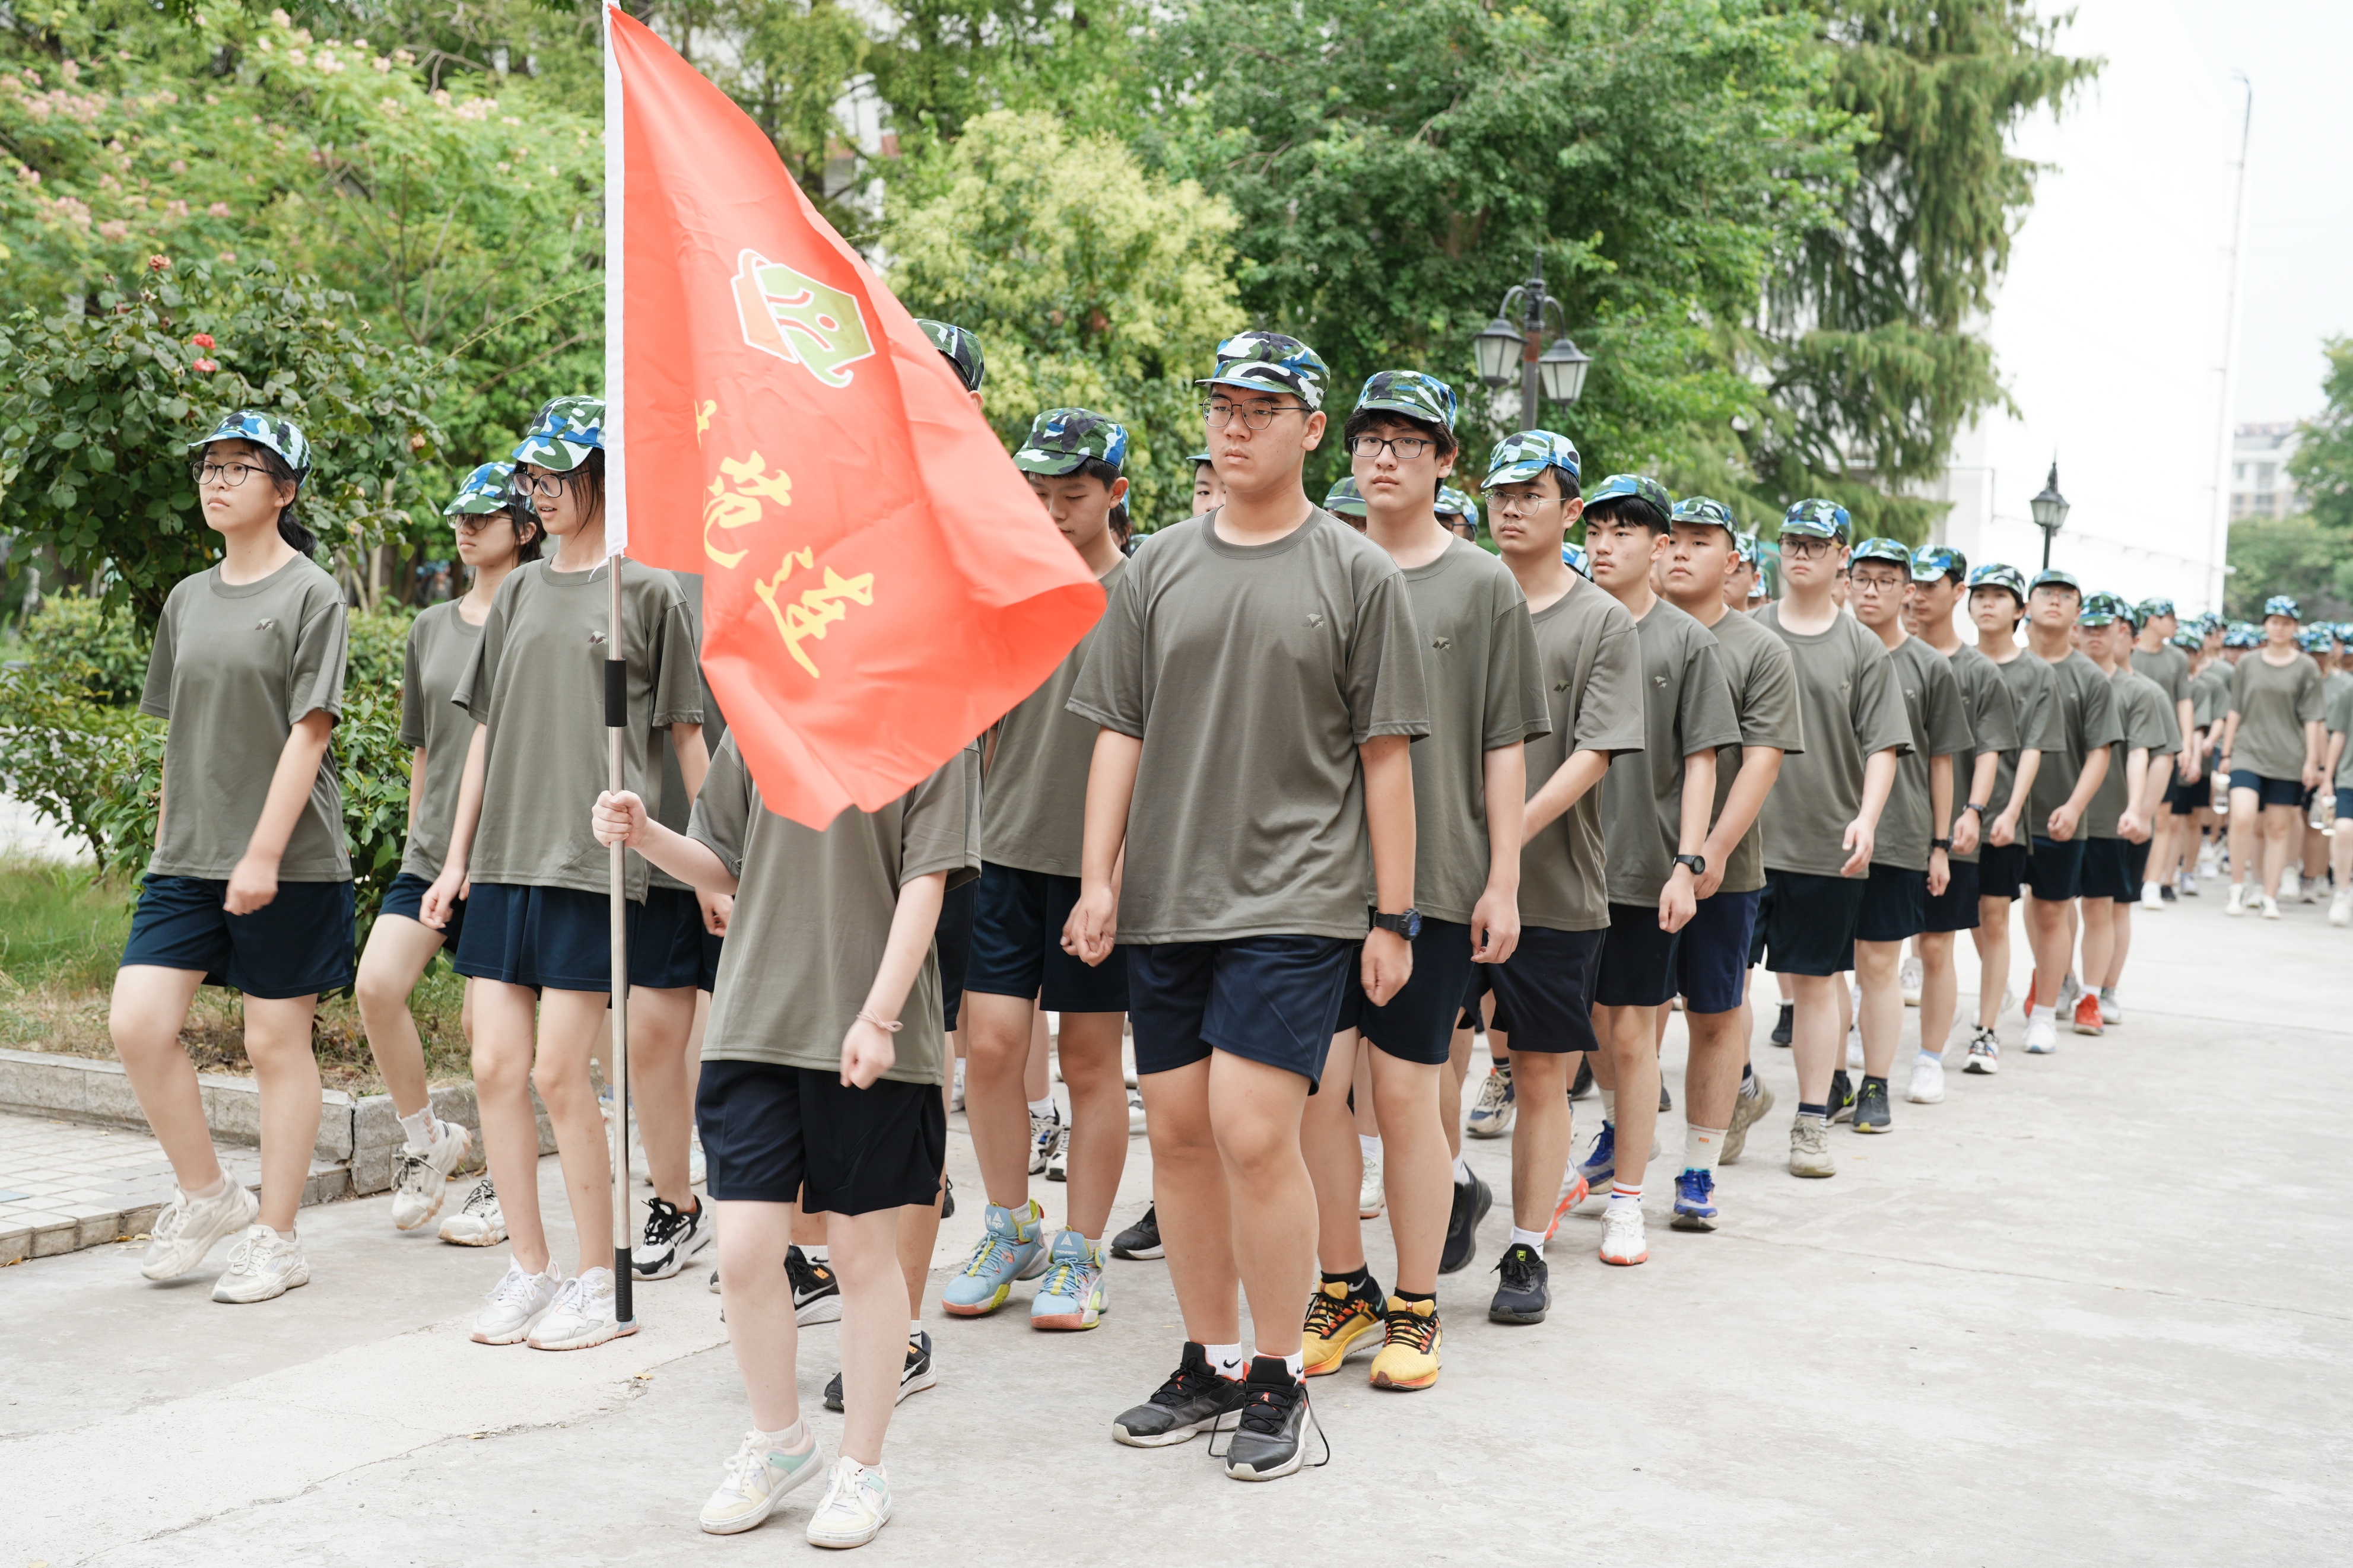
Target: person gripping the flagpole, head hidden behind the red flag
point(822, 1092)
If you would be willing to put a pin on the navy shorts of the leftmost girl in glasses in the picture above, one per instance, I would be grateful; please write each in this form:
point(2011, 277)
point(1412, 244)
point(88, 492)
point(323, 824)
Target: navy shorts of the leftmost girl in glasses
point(295, 946)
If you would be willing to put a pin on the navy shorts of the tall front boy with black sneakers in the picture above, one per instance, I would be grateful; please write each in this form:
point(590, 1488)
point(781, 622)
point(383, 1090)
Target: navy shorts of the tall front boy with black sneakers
point(1265, 998)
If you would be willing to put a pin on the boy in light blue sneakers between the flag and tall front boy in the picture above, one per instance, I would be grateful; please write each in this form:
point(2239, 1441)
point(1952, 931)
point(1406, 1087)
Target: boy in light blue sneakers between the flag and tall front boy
point(1032, 843)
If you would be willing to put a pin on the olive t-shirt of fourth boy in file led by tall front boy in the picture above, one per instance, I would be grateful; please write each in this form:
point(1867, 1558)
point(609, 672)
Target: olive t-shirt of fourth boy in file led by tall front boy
point(1686, 709)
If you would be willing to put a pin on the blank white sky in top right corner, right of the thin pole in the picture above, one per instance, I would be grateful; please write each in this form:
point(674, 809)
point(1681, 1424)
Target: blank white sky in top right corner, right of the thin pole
point(2298, 281)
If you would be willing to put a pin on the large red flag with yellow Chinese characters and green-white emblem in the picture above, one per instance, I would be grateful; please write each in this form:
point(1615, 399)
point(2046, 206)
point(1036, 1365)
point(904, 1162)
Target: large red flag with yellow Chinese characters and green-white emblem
point(879, 582)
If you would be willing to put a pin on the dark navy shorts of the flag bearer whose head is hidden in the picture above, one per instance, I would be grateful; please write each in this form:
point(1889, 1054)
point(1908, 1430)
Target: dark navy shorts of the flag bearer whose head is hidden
point(796, 1134)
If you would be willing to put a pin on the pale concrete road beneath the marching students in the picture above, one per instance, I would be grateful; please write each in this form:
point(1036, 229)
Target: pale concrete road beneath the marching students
point(2077, 1315)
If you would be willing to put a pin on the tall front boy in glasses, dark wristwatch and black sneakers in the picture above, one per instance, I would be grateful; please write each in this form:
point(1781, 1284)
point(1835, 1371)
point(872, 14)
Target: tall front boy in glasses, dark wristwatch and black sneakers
point(1258, 683)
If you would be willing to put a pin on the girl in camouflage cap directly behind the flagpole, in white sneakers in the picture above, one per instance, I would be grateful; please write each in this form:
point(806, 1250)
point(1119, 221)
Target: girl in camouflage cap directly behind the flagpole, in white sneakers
point(538, 937)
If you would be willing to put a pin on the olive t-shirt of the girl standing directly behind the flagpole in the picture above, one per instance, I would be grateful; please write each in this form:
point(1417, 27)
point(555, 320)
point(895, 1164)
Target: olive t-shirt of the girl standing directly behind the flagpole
point(538, 681)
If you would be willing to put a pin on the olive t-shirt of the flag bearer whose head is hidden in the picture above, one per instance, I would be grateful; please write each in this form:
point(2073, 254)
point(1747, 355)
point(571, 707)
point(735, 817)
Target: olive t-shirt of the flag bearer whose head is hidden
point(815, 909)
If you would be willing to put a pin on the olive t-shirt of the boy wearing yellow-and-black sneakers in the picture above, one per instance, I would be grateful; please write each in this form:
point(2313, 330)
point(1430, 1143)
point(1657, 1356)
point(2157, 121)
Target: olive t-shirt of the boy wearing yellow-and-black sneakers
point(1486, 688)
